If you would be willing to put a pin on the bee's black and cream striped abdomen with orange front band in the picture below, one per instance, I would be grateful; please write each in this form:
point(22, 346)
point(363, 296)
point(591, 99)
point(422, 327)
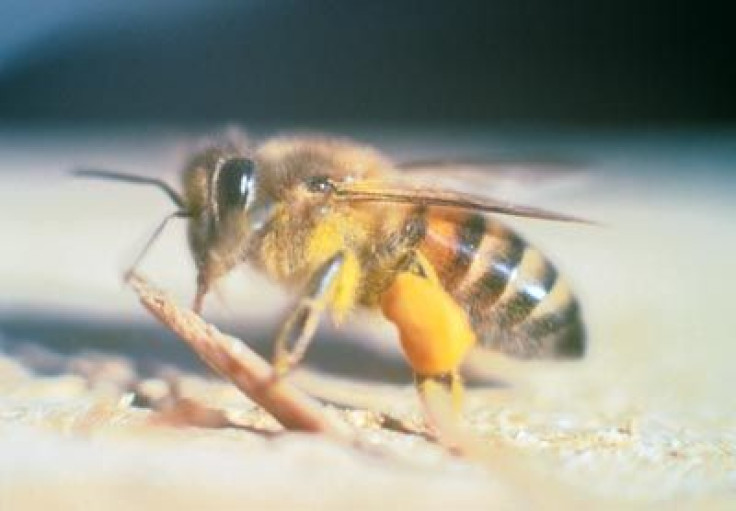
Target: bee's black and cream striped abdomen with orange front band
point(515, 298)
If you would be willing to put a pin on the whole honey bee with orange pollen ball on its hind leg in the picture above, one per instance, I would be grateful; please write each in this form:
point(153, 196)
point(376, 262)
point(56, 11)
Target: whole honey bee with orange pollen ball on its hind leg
point(340, 225)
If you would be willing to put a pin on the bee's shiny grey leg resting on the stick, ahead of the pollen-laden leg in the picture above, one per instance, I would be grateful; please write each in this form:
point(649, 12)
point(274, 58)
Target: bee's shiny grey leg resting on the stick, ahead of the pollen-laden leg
point(298, 331)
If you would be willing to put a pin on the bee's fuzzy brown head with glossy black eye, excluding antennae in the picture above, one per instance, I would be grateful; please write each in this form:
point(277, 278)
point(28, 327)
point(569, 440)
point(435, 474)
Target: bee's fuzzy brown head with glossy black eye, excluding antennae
point(221, 195)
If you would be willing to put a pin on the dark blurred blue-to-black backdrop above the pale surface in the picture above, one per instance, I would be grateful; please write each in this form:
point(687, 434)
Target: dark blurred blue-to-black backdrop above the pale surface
point(583, 62)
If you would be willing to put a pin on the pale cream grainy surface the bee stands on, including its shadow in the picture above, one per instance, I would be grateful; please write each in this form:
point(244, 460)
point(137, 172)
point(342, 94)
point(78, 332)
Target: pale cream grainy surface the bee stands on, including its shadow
point(647, 418)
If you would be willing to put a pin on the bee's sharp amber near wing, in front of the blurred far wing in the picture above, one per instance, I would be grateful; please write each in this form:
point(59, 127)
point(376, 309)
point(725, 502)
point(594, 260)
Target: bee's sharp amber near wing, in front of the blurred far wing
point(398, 193)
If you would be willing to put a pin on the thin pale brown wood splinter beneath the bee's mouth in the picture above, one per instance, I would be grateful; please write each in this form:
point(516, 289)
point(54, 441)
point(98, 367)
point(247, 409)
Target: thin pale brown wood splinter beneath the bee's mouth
point(234, 360)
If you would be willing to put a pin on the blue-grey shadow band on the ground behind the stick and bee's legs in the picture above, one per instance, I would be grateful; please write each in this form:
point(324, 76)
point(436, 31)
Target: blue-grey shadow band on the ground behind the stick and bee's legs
point(49, 344)
